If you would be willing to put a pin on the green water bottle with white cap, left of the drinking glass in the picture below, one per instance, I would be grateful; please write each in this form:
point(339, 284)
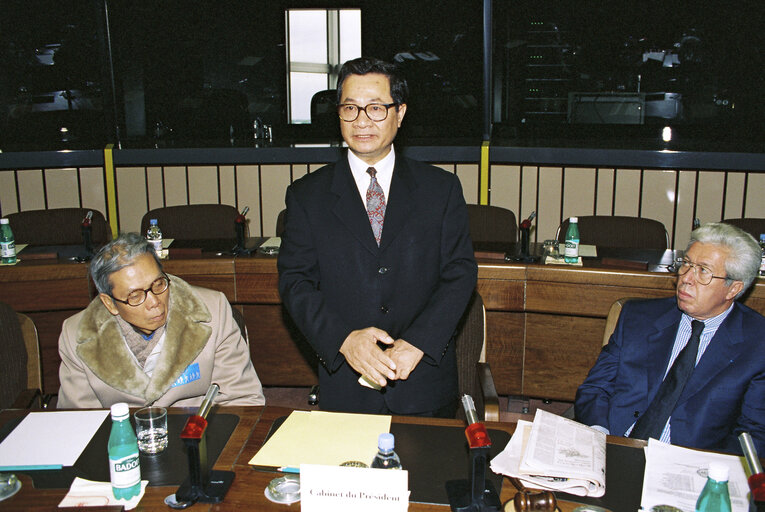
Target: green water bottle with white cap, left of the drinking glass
point(124, 462)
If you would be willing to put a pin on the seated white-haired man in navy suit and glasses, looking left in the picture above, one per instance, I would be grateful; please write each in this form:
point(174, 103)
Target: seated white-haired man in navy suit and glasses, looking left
point(644, 384)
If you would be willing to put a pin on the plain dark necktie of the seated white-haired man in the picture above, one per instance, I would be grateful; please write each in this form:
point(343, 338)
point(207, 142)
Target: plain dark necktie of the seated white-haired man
point(652, 422)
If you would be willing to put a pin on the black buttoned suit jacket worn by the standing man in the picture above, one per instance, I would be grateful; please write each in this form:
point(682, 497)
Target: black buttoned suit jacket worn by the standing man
point(333, 278)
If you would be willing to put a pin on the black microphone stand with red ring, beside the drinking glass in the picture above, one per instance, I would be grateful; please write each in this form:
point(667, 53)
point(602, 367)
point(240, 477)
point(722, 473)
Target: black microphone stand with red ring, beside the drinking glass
point(203, 485)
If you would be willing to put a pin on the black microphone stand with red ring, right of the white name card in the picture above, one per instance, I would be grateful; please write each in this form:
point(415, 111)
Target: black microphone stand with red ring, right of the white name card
point(476, 494)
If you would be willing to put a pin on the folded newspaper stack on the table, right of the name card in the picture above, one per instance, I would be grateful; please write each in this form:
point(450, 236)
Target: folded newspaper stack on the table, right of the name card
point(557, 454)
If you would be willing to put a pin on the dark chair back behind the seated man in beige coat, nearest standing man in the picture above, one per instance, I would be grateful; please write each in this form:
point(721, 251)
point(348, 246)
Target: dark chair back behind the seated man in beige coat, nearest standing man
point(194, 221)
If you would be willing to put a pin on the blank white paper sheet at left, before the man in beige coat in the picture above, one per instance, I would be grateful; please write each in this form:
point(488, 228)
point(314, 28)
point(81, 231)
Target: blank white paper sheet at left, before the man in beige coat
point(36, 443)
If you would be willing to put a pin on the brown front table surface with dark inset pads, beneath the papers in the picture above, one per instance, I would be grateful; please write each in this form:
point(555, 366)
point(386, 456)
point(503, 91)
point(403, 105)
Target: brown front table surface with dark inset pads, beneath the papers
point(247, 490)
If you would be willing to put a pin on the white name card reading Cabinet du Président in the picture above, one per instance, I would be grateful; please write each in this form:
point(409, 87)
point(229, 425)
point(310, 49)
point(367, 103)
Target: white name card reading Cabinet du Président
point(337, 488)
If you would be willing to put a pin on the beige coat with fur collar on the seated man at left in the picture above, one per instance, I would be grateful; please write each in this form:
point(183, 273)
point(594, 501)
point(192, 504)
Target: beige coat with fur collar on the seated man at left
point(98, 369)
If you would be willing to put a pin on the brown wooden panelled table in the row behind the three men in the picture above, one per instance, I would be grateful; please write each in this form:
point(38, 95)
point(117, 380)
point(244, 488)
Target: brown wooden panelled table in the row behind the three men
point(544, 322)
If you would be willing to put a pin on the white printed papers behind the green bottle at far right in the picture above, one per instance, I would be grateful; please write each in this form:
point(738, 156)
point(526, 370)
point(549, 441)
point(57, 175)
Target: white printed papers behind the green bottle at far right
point(675, 476)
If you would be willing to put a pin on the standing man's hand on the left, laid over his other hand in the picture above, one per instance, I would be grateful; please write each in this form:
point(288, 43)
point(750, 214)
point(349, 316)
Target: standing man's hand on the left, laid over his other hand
point(362, 353)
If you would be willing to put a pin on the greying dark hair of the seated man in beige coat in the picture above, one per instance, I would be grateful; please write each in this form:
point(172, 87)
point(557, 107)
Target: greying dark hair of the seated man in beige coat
point(116, 255)
